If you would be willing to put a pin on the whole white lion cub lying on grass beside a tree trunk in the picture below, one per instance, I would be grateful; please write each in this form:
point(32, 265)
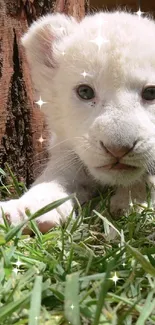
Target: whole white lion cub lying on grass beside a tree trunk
point(98, 79)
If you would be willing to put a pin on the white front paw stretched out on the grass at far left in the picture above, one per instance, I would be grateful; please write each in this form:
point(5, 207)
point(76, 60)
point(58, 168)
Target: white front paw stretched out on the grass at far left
point(33, 200)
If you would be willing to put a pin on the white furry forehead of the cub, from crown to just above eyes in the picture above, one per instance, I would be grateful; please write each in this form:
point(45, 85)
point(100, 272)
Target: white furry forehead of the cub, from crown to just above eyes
point(112, 44)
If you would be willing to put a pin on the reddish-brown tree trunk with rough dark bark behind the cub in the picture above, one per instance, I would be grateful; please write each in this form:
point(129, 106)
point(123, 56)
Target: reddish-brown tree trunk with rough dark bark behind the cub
point(21, 121)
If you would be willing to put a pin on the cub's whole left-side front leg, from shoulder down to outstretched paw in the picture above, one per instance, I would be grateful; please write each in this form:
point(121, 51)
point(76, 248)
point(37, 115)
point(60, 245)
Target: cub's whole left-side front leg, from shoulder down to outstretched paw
point(52, 185)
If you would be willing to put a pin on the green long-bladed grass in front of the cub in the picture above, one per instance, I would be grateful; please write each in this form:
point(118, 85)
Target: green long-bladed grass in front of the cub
point(91, 271)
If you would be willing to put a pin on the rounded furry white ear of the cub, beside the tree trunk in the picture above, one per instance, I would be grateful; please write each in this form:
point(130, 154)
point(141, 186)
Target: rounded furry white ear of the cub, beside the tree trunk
point(40, 39)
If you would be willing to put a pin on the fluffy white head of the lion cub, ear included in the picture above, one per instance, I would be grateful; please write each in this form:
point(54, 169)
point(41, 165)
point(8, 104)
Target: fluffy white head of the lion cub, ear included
point(99, 81)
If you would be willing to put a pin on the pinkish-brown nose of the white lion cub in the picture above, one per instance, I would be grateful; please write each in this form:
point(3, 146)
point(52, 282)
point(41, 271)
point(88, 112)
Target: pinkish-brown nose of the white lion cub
point(117, 152)
